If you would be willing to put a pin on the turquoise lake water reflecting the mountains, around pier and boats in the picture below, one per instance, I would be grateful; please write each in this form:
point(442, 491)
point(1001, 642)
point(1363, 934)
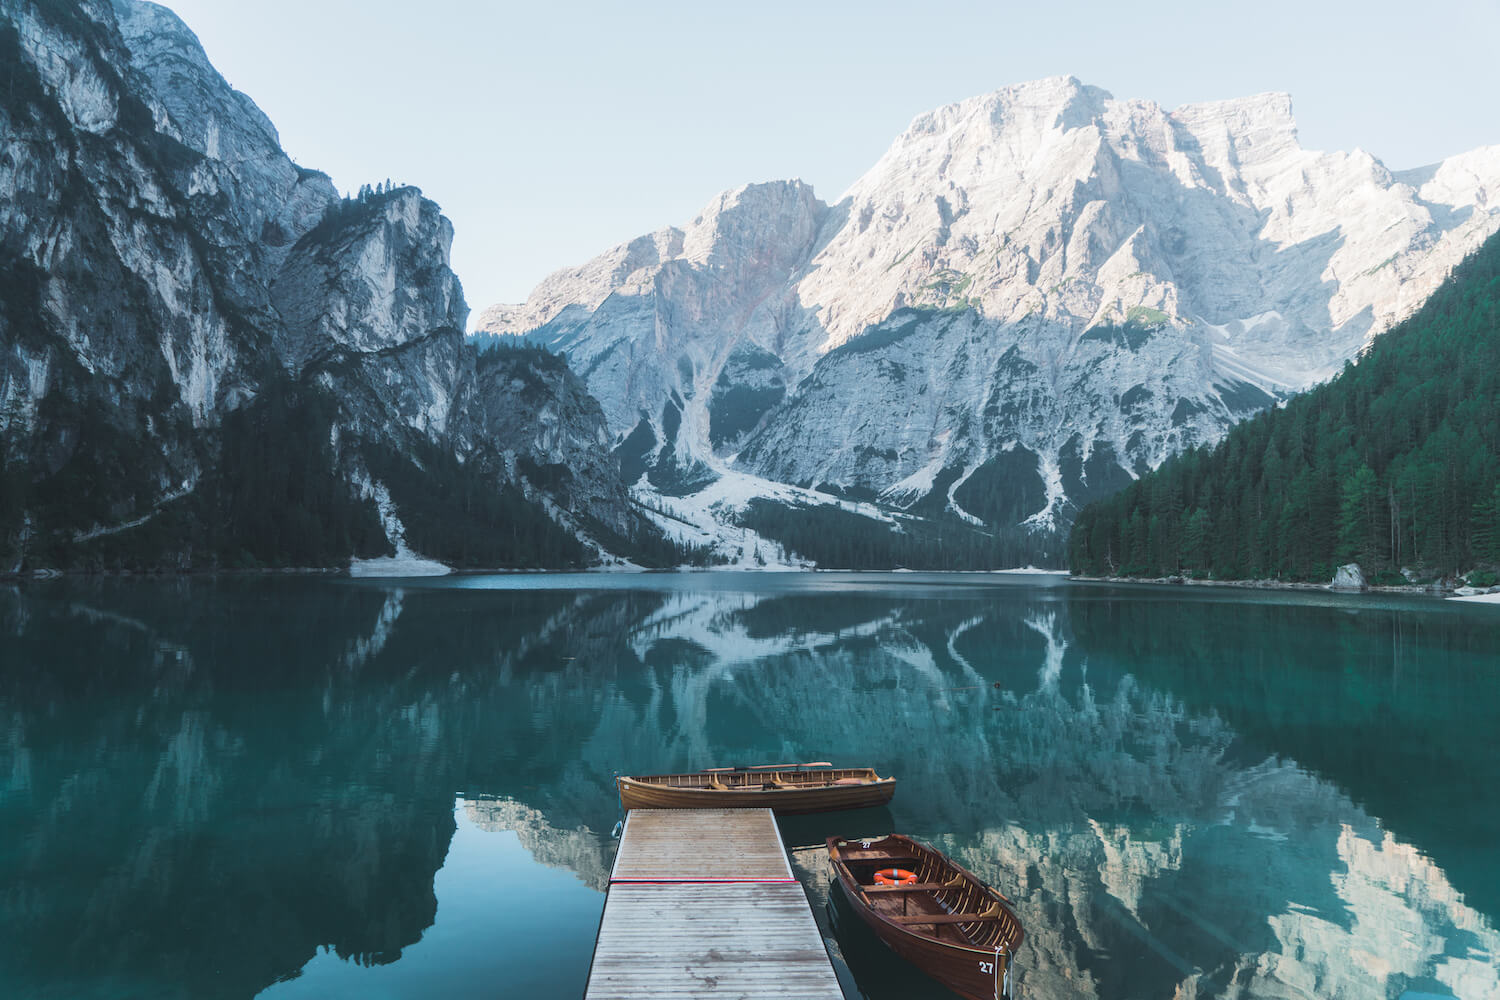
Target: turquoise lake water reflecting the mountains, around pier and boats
point(352, 789)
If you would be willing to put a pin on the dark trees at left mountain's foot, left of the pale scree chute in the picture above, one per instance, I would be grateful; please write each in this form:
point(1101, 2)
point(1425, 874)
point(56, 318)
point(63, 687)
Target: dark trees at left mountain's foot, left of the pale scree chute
point(272, 497)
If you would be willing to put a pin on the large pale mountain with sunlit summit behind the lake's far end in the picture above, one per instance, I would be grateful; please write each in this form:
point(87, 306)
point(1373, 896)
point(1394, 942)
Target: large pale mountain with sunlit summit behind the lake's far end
point(1033, 299)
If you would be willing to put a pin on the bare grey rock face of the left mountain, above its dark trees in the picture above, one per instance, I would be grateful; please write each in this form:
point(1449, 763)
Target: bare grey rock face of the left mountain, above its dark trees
point(164, 265)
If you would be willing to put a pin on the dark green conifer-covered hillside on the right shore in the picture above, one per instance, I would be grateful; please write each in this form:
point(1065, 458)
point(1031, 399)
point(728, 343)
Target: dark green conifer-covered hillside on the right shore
point(1394, 464)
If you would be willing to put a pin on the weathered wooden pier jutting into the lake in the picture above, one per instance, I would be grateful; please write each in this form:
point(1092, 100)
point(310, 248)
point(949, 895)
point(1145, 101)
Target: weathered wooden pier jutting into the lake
point(703, 903)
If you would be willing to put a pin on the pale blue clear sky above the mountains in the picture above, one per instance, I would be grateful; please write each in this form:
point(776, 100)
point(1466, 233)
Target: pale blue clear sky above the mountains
point(553, 131)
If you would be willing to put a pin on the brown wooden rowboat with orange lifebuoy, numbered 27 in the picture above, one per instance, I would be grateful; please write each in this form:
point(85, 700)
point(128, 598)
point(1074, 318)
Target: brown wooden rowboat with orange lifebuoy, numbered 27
point(931, 912)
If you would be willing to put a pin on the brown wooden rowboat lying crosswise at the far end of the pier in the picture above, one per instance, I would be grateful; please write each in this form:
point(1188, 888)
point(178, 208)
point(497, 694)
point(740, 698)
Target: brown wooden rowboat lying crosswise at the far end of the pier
point(811, 788)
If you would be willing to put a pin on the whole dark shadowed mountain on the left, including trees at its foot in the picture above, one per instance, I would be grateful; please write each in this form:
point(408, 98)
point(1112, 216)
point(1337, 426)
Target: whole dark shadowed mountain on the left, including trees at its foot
point(209, 358)
